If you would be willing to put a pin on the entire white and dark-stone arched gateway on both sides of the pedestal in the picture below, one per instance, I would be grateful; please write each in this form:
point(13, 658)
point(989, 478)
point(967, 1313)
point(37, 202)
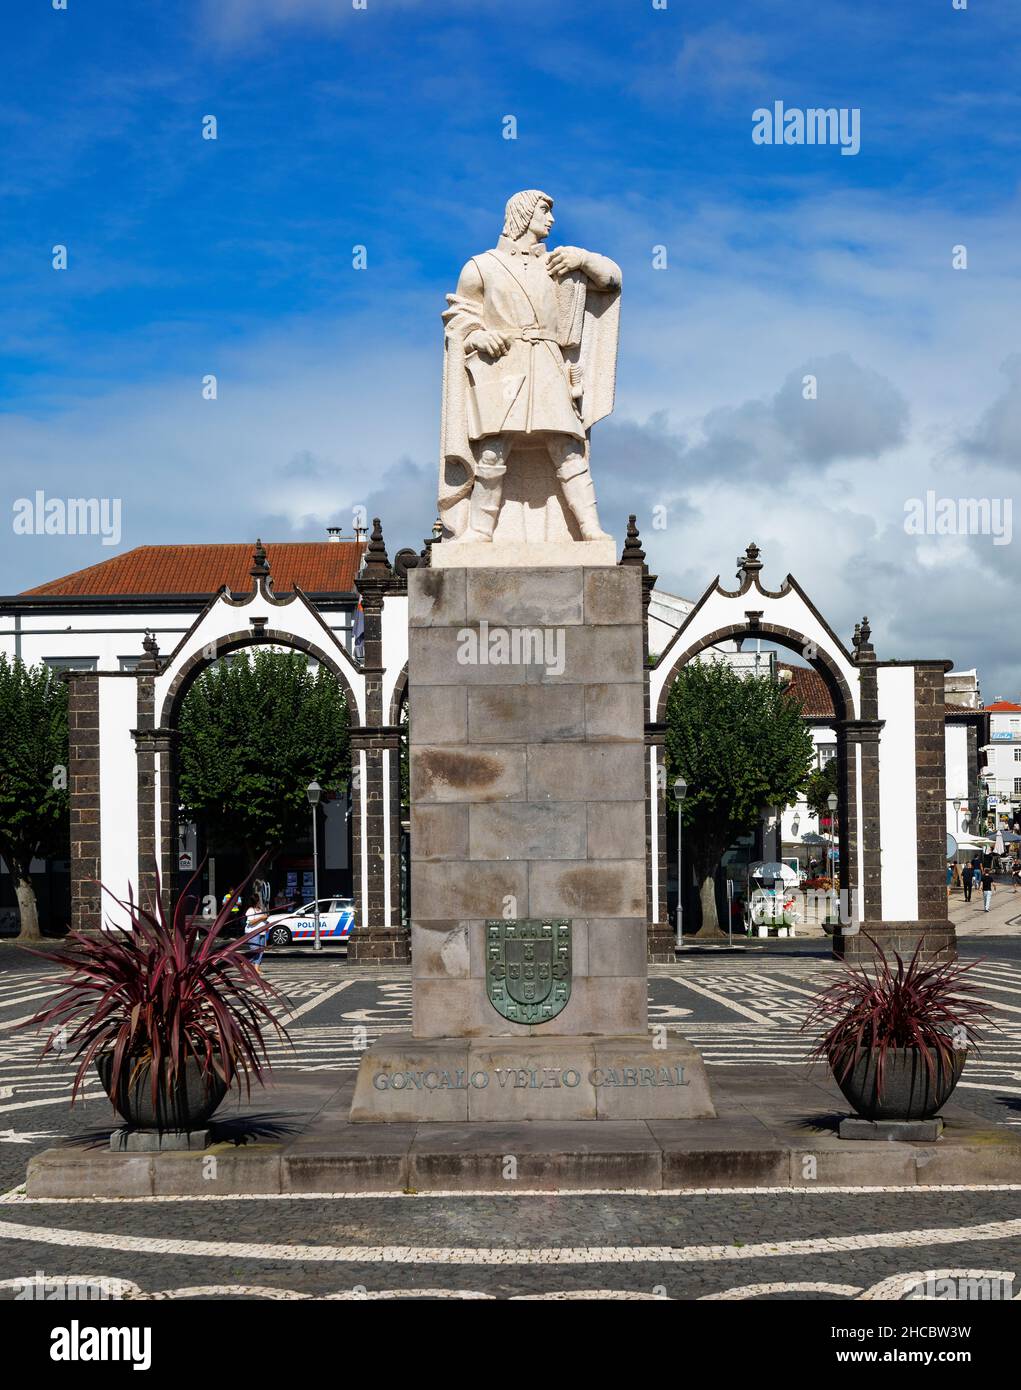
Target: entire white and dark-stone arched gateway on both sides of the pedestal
point(888, 719)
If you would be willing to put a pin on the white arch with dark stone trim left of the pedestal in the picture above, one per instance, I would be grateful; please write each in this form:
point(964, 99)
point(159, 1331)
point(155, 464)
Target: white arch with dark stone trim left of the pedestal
point(124, 737)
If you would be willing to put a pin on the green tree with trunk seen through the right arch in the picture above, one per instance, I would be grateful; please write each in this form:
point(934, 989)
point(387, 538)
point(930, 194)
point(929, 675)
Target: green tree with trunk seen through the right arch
point(741, 744)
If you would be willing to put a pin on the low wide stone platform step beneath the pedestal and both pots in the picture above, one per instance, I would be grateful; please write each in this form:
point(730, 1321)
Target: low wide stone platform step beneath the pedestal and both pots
point(774, 1128)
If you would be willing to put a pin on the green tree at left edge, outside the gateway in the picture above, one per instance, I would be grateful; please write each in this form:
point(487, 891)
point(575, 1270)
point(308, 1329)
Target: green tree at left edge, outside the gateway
point(34, 758)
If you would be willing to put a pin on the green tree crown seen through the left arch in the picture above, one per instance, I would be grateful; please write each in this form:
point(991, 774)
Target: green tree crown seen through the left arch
point(255, 732)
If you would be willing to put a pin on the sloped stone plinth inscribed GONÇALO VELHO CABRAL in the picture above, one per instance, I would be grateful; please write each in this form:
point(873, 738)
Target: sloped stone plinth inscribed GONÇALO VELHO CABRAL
point(549, 1078)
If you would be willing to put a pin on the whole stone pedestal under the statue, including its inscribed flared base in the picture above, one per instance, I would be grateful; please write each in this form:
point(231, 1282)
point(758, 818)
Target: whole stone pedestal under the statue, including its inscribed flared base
point(527, 750)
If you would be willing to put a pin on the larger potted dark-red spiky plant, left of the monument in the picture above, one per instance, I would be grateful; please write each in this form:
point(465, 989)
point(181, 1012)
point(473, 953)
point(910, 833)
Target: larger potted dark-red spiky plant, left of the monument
point(170, 1013)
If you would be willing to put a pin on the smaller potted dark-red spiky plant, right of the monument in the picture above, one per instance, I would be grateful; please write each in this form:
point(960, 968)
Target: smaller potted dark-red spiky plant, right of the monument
point(898, 1039)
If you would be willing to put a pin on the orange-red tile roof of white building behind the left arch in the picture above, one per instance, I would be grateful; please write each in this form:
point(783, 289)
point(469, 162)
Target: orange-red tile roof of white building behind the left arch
point(315, 566)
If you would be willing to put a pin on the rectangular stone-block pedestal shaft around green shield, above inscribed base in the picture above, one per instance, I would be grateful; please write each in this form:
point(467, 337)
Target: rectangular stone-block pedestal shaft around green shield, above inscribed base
point(527, 785)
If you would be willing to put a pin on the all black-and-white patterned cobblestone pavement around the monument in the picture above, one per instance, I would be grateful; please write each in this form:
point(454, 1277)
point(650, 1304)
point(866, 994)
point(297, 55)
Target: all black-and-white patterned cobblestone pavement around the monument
point(813, 1243)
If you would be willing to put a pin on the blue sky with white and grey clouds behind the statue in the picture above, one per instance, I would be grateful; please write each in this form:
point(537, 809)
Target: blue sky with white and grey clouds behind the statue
point(383, 127)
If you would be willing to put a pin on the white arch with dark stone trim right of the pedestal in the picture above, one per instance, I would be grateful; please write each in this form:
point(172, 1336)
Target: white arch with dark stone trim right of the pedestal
point(891, 760)
